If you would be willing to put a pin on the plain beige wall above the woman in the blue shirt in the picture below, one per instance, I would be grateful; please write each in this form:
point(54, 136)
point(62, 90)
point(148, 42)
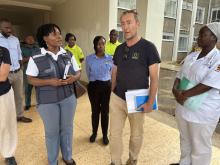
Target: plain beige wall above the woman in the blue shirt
point(85, 19)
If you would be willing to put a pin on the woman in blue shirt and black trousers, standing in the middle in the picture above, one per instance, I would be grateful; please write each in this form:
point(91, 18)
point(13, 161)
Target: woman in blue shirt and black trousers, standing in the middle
point(98, 69)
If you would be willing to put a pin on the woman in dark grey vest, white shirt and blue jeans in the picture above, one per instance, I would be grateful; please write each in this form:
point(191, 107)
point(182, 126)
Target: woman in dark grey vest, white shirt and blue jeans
point(52, 71)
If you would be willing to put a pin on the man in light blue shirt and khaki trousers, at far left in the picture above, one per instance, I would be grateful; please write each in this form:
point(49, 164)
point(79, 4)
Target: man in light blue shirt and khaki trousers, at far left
point(15, 77)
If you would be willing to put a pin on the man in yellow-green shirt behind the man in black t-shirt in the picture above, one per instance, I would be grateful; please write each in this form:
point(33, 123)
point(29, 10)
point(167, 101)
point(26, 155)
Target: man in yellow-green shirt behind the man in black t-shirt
point(112, 44)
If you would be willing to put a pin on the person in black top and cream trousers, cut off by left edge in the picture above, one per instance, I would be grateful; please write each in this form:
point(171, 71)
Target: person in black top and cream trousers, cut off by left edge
point(8, 123)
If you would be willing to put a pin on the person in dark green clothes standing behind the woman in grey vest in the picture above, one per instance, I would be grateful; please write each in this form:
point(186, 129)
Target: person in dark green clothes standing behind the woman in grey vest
point(27, 48)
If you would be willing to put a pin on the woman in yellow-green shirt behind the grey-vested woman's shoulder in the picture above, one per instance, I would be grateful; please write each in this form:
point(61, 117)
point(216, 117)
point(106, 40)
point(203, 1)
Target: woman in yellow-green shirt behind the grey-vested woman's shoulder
point(74, 48)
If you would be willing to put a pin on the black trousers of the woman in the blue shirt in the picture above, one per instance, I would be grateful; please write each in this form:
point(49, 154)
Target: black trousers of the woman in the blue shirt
point(99, 96)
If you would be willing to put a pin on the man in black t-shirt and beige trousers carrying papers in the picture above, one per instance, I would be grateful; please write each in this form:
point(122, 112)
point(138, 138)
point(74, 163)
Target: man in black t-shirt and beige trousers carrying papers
point(135, 61)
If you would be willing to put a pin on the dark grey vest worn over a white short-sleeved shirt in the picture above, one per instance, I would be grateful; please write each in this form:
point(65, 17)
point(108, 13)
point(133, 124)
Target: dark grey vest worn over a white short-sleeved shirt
point(49, 68)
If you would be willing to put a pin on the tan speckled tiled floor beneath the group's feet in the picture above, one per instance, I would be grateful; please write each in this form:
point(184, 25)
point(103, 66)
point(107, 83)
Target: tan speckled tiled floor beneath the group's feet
point(160, 147)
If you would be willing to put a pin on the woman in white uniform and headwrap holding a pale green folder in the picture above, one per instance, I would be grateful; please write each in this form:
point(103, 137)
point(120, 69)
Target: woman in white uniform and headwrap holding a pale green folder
point(197, 92)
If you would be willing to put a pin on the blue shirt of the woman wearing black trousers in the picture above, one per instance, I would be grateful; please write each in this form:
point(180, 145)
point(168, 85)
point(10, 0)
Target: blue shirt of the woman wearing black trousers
point(99, 68)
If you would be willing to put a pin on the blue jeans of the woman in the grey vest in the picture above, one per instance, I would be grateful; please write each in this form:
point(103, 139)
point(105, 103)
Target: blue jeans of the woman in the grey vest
point(58, 125)
